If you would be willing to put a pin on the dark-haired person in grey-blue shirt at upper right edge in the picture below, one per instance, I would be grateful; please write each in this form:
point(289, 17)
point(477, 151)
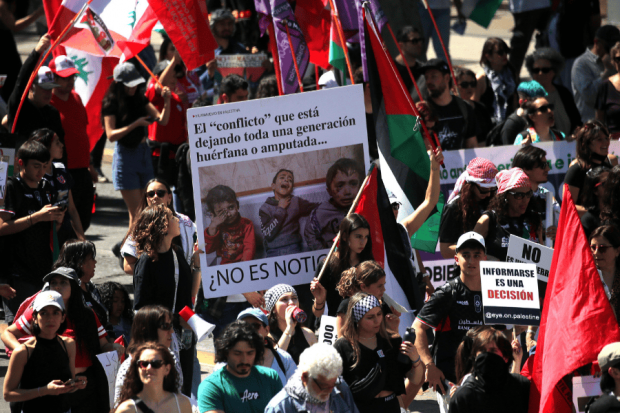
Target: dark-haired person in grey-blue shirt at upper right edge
point(592, 69)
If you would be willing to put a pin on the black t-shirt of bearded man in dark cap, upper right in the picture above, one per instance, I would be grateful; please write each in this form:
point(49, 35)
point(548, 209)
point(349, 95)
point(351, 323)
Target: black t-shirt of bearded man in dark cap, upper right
point(452, 128)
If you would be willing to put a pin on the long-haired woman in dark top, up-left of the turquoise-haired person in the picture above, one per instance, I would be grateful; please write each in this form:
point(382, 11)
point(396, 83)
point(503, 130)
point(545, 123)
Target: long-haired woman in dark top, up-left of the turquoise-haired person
point(497, 82)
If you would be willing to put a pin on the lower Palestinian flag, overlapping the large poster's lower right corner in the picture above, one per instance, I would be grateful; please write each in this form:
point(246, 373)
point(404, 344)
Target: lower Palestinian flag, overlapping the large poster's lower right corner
point(389, 247)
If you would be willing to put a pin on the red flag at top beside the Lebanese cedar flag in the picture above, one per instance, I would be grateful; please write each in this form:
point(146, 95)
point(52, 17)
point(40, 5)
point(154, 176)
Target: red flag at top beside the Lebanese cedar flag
point(186, 26)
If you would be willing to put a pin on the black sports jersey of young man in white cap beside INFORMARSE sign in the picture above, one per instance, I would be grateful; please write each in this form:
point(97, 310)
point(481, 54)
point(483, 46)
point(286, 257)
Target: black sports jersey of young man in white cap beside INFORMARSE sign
point(452, 310)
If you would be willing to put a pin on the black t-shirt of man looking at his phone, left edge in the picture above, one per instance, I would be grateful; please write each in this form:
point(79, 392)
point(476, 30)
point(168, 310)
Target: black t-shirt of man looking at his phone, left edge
point(29, 250)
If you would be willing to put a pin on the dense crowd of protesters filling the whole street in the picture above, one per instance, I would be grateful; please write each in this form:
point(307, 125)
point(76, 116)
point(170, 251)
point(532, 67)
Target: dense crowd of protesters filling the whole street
point(267, 354)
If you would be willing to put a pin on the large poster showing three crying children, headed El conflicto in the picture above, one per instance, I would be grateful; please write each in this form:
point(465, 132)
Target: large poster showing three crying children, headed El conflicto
point(252, 240)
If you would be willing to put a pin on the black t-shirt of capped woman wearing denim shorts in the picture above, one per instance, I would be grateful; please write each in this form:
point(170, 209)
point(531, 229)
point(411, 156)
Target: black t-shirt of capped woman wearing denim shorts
point(135, 107)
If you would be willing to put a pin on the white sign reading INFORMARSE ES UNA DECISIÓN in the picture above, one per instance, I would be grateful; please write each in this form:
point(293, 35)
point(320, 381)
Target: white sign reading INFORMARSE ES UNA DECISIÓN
point(509, 293)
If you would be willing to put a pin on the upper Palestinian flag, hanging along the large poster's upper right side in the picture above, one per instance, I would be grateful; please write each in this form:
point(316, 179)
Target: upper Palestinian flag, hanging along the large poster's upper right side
point(405, 165)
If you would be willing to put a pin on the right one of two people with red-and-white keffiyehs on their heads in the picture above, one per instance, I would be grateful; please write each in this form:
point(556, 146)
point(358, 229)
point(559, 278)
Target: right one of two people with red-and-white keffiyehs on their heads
point(510, 212)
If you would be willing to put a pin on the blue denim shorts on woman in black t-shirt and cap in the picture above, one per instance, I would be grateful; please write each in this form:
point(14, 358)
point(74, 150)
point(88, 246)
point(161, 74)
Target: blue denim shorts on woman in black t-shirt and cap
point(132, 168)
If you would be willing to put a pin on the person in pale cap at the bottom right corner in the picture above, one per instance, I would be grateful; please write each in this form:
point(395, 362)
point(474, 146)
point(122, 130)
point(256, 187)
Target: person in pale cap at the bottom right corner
point(609, 362)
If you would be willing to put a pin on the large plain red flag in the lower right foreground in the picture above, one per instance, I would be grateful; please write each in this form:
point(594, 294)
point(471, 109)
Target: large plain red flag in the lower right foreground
point(577, 320)
